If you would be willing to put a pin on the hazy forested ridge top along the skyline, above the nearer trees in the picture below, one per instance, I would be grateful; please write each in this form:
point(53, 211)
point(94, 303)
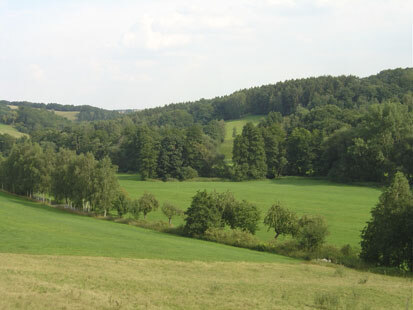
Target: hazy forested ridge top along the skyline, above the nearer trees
point(345, 92)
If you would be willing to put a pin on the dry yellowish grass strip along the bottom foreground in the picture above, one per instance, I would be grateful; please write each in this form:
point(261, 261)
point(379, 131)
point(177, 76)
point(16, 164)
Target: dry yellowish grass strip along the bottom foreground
point(62, 282)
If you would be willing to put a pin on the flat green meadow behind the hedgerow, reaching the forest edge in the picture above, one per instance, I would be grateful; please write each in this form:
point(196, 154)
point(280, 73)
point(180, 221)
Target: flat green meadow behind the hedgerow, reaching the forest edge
point(345, 207)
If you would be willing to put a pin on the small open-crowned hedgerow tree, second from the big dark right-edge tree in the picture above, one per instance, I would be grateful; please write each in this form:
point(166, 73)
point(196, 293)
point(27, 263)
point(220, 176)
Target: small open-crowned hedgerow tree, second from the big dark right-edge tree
point(282, 220)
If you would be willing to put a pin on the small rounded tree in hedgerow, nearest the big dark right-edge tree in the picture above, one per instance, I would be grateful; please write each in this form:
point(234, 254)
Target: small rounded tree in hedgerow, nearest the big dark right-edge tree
point(312, 231)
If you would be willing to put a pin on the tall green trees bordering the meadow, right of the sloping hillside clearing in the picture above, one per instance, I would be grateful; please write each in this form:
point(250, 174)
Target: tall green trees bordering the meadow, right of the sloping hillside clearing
point(365, 145)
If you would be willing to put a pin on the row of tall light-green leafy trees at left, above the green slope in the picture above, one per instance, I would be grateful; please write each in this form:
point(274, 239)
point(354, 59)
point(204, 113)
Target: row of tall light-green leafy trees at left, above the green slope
point(79, 180)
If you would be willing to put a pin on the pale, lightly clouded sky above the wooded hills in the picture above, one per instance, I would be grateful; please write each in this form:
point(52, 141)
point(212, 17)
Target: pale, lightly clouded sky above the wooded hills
point(139, 54)
